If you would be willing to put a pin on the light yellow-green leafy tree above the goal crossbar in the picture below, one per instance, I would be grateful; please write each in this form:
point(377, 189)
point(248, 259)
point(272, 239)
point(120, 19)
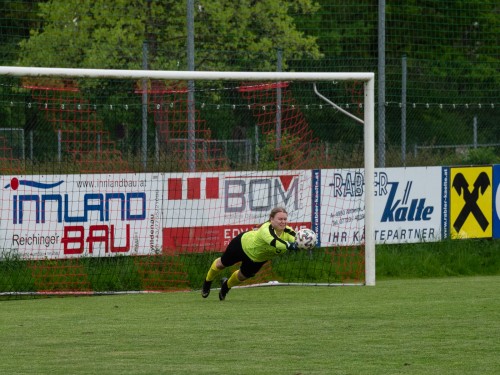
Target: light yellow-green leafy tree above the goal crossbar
point(111, 34)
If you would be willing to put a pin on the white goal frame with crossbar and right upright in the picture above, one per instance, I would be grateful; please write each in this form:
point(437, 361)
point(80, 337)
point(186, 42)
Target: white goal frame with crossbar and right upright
point(368, 80)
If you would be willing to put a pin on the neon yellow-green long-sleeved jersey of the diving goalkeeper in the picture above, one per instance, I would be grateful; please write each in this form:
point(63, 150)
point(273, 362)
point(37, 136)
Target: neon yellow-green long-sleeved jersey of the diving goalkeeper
point(264, 244)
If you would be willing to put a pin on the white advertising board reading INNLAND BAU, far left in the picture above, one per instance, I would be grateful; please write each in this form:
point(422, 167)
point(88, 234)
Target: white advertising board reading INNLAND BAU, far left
point(64, 216)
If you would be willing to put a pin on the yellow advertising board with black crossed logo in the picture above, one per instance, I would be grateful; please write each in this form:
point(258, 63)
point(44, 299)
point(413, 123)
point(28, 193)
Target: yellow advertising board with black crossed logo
point(471, 193)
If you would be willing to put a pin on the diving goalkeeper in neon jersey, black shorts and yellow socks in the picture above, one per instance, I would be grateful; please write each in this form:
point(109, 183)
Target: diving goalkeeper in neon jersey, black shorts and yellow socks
point(253, 249)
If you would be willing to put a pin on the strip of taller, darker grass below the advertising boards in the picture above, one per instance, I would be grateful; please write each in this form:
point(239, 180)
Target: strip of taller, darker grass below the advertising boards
point(422, 260)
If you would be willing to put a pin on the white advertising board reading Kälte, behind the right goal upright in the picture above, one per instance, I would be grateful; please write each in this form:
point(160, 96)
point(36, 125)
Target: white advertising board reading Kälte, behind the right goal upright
point(407, 206)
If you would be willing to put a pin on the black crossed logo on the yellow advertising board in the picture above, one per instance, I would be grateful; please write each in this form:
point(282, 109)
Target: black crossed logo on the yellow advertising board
point(470, 197)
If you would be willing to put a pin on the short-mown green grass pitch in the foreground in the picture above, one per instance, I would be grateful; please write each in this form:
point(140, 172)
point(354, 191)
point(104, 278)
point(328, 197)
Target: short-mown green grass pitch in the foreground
point(415, 326)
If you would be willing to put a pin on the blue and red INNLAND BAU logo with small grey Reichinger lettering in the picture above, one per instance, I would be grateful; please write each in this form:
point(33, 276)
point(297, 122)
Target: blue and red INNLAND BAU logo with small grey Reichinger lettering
point(60, 208)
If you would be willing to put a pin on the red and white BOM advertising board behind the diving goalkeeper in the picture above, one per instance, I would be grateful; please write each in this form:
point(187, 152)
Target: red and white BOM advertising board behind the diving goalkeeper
point(204, 211)
